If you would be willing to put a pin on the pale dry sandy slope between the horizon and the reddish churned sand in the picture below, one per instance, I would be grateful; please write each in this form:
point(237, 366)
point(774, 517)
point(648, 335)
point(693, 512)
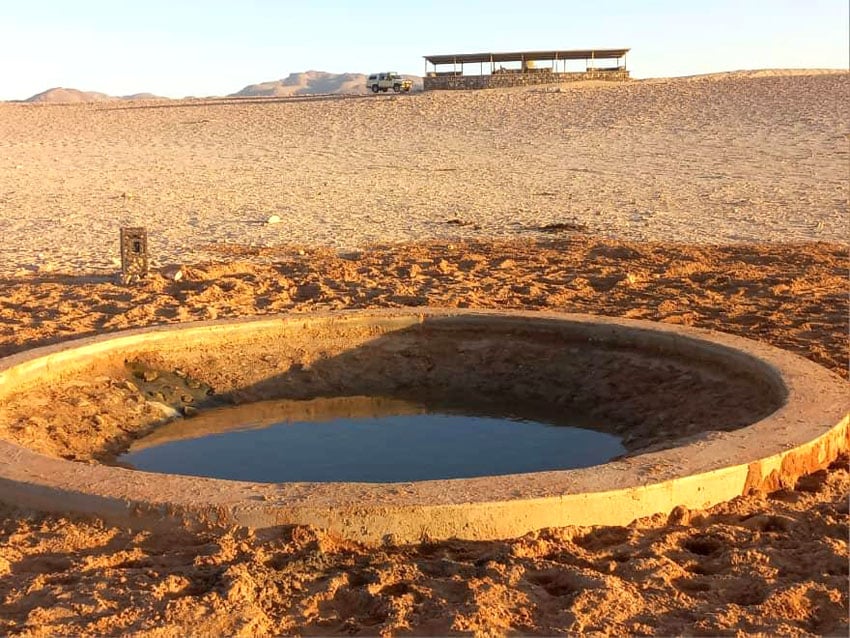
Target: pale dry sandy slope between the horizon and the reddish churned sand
point(712, 159)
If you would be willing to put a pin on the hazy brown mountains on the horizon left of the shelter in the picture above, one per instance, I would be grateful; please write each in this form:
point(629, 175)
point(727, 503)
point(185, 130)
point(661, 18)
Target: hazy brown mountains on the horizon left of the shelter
point(306, 83)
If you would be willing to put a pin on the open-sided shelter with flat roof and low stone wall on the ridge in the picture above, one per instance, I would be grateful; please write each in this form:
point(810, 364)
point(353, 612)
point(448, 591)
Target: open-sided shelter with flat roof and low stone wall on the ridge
point(524, 68)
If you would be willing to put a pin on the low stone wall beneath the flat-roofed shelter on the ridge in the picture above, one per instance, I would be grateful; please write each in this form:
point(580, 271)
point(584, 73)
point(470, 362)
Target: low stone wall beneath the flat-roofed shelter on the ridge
point(505, 79)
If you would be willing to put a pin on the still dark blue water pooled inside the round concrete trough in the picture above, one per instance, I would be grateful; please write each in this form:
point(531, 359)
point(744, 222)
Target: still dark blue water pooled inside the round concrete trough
point(384, 448)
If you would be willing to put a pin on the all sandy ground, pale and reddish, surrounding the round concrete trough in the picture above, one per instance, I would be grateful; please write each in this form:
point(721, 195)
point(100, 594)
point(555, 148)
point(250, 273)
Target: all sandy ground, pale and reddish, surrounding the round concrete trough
point(713, 202)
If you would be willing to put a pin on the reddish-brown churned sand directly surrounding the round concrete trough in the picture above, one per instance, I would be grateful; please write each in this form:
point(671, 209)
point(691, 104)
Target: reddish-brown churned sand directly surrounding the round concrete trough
point(768, 564)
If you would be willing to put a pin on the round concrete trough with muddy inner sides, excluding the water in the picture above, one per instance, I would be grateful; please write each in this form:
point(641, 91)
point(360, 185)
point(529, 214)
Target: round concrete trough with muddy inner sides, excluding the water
point(704, 416)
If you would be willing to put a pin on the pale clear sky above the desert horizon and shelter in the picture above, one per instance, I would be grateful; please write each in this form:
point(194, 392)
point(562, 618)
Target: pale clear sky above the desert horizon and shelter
point(177, 48)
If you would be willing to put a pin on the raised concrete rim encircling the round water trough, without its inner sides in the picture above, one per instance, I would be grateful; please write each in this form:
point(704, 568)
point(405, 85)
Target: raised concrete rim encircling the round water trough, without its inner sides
point(807, 432)
